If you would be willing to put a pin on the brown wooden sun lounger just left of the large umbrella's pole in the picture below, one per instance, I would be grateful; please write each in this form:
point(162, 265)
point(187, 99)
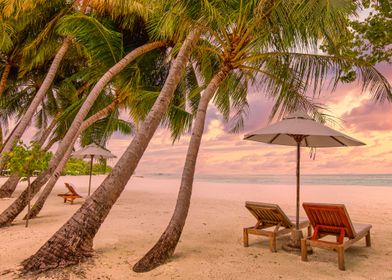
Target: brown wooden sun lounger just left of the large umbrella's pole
point(271, 222)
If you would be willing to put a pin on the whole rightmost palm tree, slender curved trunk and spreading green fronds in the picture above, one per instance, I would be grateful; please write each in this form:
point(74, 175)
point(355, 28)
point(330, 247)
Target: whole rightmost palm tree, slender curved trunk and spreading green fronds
point(239, 43)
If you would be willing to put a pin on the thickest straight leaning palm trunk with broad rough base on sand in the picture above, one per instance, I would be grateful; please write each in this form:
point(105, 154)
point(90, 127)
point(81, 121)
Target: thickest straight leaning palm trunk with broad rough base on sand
point(74, 240)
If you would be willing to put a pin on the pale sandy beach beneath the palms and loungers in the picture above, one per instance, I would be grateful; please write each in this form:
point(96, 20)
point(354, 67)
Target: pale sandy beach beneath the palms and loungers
point(211, 244)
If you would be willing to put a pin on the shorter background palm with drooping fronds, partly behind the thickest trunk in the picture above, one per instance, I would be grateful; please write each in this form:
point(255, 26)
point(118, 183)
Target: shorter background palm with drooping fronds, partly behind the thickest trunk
point(135, 100)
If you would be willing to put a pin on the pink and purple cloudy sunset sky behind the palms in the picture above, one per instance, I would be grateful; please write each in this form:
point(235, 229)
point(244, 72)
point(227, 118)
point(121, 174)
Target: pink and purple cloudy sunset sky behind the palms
point(222, 153)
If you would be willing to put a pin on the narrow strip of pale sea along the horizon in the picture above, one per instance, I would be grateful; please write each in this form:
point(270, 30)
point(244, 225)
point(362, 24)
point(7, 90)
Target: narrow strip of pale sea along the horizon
point(306, 179)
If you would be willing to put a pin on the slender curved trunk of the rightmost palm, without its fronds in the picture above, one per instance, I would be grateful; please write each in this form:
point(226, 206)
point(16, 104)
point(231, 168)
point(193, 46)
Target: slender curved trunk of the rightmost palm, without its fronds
point(167, 243)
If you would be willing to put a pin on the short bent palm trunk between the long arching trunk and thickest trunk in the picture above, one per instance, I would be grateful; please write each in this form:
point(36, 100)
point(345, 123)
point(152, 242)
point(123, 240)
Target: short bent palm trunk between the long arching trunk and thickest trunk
point(39, 204)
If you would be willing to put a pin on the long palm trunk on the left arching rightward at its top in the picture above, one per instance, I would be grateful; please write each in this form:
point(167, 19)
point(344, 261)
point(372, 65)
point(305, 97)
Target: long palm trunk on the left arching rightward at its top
point(20, 203)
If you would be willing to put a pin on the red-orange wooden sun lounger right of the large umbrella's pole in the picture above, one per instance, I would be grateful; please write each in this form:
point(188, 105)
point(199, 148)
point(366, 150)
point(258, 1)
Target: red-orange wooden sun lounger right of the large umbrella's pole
point(333, 219)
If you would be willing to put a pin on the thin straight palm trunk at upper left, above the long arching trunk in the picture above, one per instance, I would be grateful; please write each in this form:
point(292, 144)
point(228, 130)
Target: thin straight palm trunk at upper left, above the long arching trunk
point(26, 119)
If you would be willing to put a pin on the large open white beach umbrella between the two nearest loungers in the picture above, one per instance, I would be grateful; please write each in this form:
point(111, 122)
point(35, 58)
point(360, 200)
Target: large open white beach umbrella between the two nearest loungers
point(299, 129)
